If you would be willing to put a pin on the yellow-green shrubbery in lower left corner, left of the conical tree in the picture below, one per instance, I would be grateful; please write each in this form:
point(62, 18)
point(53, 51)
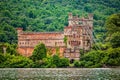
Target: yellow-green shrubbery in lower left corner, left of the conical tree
point(11, 59)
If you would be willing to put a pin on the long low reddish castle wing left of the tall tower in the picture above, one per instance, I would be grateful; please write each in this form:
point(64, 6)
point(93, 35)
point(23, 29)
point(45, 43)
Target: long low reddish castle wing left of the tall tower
point(28, 40)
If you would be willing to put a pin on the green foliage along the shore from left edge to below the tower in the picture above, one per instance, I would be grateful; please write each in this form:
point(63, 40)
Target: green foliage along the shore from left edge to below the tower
point(39, 59)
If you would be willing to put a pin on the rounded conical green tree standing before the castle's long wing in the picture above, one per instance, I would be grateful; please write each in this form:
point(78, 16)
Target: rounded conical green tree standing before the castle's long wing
point(39, 52)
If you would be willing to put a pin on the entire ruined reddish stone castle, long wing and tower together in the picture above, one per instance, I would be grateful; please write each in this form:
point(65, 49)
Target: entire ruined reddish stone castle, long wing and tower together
point(78, 36)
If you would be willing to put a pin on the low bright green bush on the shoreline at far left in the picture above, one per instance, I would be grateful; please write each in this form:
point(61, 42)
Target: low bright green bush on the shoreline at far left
point(16, 62)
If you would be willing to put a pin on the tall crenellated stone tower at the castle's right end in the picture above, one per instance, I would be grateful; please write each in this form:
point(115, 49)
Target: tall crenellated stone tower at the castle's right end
point(79, 35)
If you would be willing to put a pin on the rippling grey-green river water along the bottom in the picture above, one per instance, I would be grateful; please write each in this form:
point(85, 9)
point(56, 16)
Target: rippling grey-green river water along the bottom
point(59, 73)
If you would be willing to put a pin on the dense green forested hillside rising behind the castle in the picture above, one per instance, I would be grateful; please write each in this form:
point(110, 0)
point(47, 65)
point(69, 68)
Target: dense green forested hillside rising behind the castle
point(51, 15)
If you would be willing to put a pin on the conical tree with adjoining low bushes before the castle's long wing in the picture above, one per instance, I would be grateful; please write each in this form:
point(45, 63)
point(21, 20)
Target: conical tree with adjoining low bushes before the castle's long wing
point(41, 59)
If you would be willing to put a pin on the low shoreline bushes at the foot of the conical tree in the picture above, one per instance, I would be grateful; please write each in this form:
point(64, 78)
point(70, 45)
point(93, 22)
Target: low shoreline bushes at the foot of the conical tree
point(52, 62)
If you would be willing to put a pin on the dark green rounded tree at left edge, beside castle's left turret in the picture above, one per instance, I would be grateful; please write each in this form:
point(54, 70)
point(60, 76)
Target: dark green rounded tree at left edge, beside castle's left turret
point(7, 33)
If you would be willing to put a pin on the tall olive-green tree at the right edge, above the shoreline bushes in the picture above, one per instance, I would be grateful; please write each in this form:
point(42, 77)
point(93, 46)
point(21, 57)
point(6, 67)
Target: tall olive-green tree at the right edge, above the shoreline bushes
point(113, 28)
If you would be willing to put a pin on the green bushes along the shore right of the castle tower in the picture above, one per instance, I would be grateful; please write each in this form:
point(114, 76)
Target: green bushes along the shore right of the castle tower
point(100, 58)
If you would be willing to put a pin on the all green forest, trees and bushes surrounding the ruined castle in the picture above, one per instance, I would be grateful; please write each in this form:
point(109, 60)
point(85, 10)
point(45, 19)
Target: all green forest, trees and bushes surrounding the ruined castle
point(52, 15)
